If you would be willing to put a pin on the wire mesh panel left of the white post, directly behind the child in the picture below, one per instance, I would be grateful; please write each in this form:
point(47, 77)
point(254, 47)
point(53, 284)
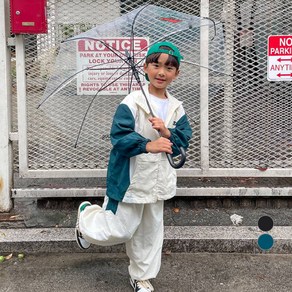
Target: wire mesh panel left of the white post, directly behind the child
point(53, 128)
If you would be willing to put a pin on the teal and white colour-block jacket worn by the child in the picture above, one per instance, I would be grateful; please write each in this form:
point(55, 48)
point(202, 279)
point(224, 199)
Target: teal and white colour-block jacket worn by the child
point(135, 176)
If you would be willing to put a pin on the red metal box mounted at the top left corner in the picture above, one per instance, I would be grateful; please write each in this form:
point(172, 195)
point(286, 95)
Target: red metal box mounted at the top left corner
point(28, 16)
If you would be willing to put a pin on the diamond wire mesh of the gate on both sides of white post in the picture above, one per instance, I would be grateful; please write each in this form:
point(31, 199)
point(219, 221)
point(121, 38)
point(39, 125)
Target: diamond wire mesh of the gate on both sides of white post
point(249, 117)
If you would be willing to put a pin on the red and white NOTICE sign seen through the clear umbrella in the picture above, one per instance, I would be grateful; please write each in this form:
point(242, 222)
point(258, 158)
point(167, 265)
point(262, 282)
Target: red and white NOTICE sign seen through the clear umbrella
point(104, 66)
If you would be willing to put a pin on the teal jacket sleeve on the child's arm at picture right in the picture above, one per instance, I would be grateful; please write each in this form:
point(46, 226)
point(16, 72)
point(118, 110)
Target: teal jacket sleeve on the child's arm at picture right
point(180, 135)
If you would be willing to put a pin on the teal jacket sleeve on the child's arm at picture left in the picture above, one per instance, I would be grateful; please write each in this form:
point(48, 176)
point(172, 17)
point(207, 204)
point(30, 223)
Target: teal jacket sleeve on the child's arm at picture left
point(123, 136)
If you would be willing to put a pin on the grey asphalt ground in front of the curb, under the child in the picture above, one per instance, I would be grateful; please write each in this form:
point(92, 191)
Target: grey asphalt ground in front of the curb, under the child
point(104, 272)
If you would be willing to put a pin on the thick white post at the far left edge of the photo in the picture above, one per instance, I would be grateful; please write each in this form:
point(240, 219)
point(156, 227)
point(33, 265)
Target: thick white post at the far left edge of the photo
point(5, 111)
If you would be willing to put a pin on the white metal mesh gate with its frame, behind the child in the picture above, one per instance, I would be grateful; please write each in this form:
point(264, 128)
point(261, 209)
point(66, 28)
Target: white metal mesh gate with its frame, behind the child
point(241, 122)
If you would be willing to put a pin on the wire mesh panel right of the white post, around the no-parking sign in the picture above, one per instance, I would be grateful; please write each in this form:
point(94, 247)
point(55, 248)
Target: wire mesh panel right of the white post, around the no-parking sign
point(250, 117)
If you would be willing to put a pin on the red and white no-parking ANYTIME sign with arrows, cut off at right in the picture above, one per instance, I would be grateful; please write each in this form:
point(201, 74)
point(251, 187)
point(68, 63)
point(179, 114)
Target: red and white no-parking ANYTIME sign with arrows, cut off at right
point(280, 58)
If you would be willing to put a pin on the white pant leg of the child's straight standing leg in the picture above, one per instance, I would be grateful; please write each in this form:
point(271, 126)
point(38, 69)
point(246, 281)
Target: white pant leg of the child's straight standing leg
point(145, 247)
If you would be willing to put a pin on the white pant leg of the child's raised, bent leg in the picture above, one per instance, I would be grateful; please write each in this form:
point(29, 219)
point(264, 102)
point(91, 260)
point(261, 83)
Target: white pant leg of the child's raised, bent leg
point(103, 227)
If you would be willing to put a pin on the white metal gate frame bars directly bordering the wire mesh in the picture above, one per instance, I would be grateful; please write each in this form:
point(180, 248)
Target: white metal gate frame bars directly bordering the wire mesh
point(203, 171)
